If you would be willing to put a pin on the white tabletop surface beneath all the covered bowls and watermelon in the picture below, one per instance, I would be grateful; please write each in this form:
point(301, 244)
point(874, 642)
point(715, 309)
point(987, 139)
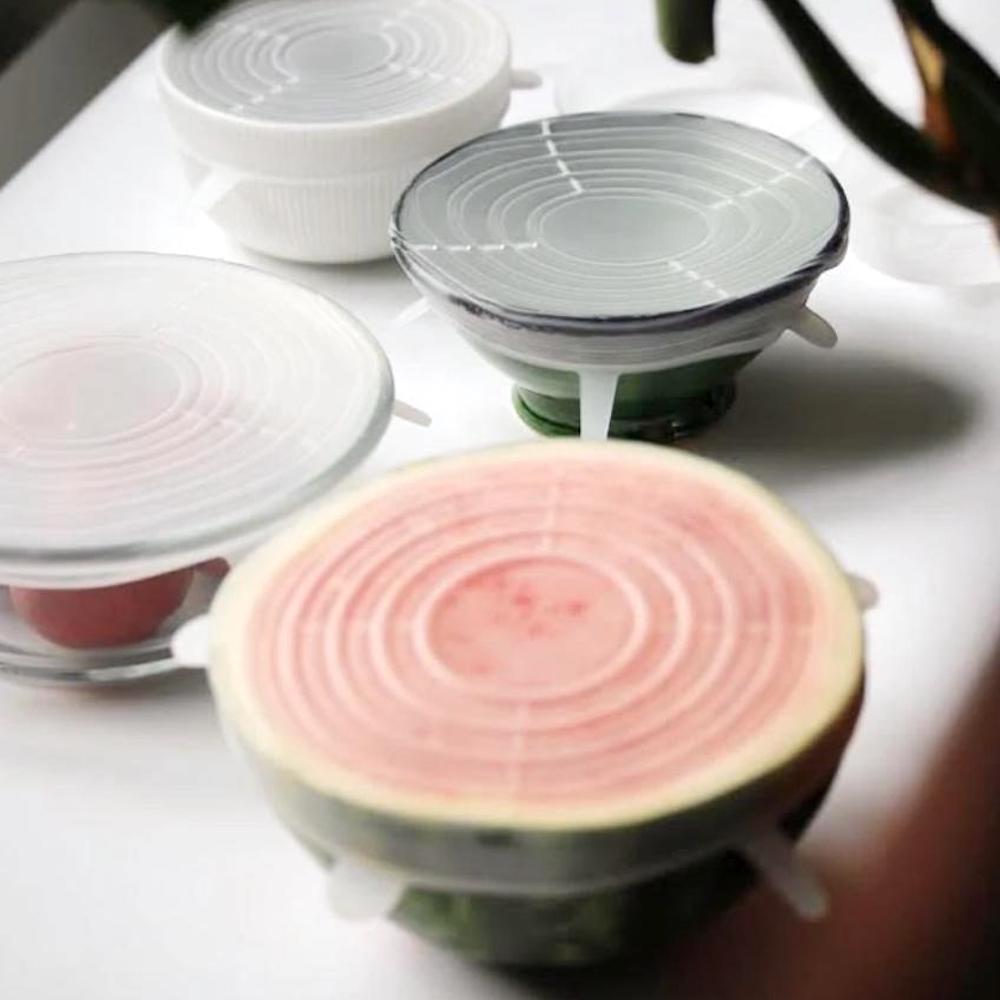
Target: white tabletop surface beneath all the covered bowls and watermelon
point(136, 859)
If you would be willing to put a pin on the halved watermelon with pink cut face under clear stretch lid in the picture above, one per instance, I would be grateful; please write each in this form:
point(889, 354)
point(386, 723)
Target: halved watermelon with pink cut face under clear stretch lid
point(550, 689)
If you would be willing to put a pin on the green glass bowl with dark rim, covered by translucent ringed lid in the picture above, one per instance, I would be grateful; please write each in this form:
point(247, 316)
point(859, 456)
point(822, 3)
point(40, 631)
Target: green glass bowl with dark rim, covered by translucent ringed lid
point(664, 249)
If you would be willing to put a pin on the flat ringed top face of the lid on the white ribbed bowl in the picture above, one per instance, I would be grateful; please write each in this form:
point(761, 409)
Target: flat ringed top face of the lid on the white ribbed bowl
point(317, 61)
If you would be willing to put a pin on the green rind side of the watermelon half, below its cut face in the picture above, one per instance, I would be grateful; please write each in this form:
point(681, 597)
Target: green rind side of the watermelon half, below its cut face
point(562, 929)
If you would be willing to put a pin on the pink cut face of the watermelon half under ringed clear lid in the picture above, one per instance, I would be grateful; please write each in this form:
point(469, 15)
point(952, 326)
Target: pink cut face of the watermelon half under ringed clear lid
point(544, 631)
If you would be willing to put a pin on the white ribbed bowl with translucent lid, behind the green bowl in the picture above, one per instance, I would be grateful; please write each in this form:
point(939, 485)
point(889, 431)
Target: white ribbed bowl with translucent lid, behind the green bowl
point(299, 122)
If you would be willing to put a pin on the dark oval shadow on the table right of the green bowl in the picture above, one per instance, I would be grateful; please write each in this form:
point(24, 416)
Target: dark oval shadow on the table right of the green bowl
point(798, 416)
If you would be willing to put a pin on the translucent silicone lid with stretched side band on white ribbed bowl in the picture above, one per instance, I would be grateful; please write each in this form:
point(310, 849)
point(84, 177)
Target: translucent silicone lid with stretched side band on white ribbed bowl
point(303, 87)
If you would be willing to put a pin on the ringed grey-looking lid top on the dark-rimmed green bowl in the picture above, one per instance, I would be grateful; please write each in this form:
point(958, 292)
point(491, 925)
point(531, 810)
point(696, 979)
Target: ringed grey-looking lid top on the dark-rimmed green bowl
point(619, 215)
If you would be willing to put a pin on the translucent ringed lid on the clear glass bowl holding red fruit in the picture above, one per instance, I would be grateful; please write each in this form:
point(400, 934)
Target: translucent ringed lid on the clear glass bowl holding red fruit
point(154, 405)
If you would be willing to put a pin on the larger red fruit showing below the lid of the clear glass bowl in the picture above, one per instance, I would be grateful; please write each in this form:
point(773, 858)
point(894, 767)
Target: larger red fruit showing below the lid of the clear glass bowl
point(103, 616)
